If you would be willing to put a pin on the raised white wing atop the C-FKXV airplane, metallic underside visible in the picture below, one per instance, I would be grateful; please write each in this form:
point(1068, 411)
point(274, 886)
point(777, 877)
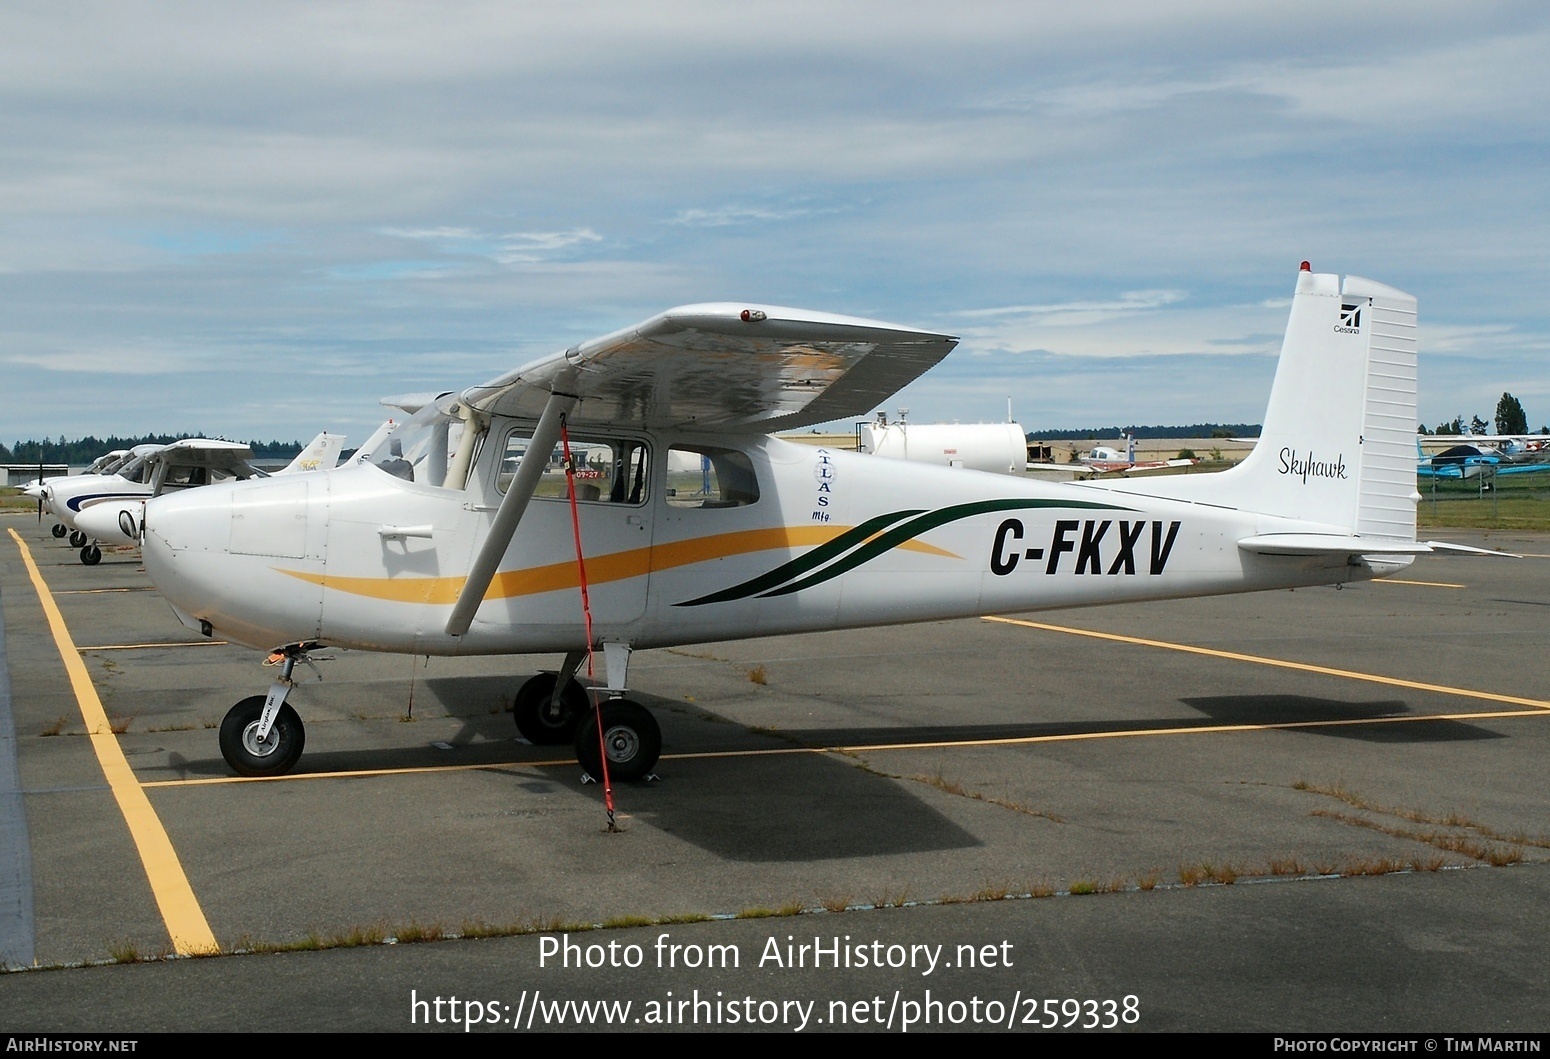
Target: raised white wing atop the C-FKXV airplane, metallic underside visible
point(725, 367)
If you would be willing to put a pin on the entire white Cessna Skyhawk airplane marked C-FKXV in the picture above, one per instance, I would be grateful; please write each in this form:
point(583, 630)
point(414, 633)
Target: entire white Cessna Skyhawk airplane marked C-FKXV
point(464, 536)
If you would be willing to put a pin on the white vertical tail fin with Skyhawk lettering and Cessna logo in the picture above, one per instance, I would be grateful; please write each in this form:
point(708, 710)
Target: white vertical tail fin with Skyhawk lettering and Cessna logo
point(1340, 432)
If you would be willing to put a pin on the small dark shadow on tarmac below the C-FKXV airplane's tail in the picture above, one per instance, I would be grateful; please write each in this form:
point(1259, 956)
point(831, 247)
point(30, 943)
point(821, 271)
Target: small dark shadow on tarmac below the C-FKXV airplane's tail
point(1301, 709)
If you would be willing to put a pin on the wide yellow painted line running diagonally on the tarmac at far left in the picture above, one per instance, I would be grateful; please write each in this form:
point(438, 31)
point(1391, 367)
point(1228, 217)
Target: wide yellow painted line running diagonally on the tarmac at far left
point(170, 885)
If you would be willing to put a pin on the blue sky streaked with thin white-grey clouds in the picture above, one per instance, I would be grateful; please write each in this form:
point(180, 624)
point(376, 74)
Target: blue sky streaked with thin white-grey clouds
point(258, 219)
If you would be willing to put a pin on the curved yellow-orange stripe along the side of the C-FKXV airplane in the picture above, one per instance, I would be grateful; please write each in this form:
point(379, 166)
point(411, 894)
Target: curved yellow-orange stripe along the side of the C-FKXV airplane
point(601, 570)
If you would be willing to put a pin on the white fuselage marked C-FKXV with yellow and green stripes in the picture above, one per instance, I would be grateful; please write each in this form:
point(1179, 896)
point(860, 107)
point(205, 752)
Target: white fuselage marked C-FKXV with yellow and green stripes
point(362, 559)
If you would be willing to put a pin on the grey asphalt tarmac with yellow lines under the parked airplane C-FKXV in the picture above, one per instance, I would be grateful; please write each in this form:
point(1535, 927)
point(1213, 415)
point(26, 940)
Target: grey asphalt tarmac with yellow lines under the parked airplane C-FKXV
point(1295, 812)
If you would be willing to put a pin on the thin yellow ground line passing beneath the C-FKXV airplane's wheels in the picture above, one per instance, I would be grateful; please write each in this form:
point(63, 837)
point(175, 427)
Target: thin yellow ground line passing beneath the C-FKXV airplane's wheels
point(870, 748)
